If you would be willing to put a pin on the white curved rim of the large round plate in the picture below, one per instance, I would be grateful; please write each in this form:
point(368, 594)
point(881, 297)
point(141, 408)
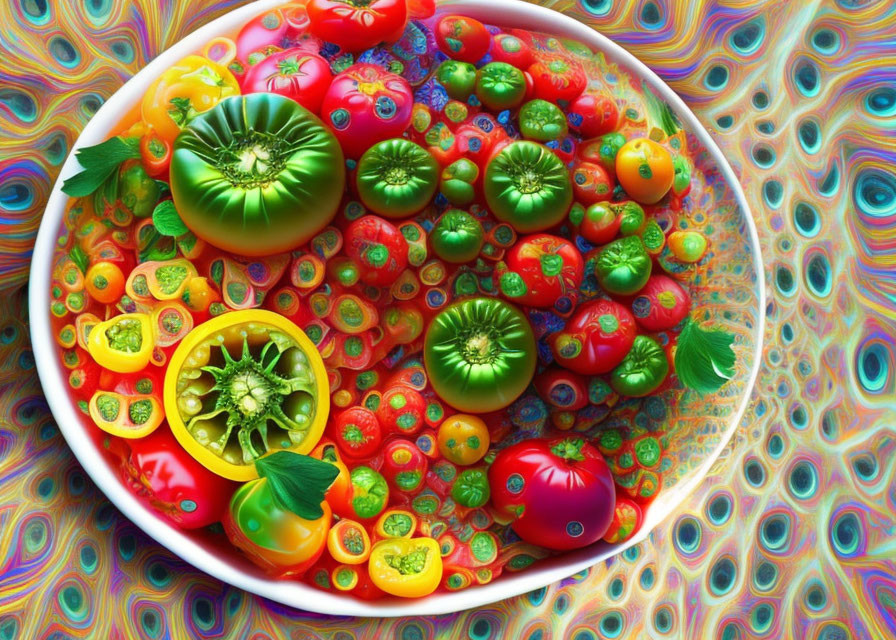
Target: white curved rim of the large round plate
point(229, 566)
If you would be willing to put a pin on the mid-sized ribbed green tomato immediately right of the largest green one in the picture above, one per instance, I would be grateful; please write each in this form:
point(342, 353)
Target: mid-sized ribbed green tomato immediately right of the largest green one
point(397, 178)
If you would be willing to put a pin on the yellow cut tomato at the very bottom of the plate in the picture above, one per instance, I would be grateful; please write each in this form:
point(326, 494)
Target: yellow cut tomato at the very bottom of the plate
point(406, 567)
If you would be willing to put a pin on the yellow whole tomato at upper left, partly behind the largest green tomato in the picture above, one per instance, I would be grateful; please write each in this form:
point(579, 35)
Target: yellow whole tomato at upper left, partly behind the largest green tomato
point(193, 85)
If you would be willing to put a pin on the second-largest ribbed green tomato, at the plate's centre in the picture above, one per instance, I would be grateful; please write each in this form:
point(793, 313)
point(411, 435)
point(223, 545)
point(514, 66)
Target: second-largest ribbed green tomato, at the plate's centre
point(479, 354)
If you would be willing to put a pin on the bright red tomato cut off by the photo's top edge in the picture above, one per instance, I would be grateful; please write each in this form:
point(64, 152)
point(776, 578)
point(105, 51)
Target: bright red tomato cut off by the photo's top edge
point(356, 25)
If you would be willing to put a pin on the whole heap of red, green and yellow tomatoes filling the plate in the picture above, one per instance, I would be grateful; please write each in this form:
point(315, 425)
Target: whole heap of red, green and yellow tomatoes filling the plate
point(346, 261)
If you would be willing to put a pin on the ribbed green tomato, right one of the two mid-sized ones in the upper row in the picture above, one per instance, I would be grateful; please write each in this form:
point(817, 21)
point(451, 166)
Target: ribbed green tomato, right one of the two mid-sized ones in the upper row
point(528, 186)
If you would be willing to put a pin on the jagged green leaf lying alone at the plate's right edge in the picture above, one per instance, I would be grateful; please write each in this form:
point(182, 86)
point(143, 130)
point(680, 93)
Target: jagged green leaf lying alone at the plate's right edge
point(704, 359)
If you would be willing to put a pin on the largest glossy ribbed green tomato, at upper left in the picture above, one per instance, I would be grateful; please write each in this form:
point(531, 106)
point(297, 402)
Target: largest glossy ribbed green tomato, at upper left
point(257, 175)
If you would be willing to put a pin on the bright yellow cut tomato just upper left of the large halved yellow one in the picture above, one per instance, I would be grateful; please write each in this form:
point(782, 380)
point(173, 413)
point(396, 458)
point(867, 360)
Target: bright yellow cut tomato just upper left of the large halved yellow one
point(123, 343)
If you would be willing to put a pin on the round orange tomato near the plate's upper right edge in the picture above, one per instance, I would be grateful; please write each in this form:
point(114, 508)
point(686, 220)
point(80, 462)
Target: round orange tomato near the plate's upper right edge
point(645, 170)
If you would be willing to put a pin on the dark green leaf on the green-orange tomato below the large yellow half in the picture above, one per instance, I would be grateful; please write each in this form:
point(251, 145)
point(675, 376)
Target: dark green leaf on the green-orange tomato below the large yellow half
point(298, 482)
